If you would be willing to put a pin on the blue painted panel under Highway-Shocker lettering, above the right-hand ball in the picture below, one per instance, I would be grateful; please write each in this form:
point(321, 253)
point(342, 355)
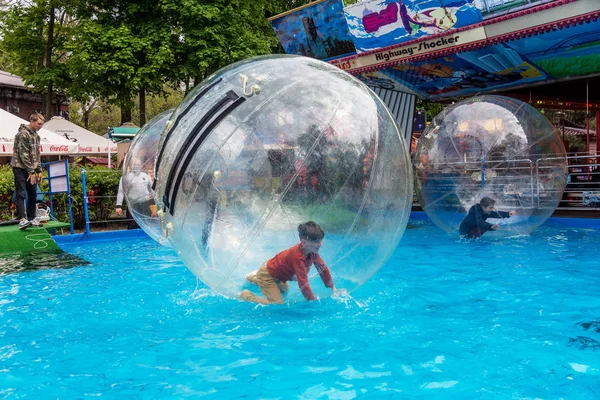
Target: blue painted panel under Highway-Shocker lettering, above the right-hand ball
point(467, 73)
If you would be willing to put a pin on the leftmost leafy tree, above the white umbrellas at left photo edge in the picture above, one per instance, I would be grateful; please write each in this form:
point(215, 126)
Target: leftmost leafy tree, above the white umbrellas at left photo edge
point(34, 36)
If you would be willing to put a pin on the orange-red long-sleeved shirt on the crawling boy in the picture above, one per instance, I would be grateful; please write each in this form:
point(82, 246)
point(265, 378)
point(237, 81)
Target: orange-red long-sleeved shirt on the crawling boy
point(291, 263)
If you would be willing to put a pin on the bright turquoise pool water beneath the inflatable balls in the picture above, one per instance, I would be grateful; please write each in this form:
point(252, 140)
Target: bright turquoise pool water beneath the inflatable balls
point(518, 318)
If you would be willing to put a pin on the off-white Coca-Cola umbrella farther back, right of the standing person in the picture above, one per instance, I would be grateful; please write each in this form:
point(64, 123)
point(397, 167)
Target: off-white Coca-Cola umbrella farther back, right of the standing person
point(89, 143)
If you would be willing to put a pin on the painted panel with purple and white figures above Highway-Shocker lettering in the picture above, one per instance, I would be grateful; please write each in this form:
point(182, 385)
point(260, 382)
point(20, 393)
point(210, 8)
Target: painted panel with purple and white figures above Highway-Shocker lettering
point(375, 23)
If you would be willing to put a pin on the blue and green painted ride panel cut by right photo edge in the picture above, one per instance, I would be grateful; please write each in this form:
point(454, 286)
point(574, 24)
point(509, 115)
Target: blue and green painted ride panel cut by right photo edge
point(564, 52)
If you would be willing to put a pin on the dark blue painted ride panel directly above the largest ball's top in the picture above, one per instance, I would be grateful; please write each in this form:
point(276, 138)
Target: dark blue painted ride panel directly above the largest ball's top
point(317, 30)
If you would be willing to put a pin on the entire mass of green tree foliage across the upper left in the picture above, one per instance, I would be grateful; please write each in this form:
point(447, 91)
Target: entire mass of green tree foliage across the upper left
point(110, 50)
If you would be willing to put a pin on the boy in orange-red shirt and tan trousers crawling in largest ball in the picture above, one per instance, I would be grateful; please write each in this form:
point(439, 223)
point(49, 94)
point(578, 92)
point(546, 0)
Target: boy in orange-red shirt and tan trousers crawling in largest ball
point(291, 264)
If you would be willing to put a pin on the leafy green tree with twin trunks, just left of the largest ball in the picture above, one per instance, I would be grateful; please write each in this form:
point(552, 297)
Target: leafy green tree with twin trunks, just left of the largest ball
point(121, 50)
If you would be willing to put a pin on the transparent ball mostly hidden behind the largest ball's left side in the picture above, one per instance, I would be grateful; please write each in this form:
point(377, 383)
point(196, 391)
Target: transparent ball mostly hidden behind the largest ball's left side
point(138, 175)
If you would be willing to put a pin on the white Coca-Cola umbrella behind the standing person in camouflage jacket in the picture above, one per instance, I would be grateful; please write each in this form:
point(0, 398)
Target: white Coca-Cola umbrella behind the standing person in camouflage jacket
point(50, 143)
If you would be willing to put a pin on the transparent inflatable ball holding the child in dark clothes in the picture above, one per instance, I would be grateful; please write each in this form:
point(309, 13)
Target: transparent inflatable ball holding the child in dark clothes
point(496, 147)
